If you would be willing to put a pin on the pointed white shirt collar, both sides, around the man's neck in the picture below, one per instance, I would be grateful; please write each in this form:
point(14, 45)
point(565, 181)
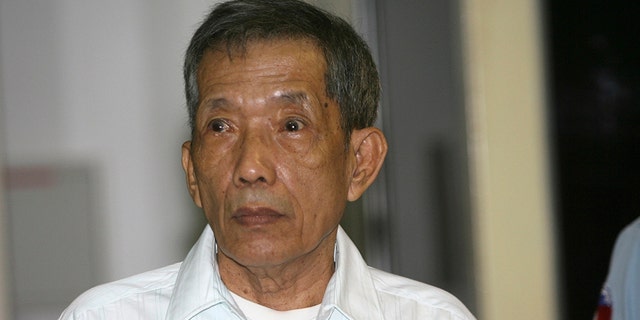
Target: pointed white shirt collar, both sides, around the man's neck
point(350, 293)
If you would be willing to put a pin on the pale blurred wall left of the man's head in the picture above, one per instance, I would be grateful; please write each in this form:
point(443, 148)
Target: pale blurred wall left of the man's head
point(98, 84)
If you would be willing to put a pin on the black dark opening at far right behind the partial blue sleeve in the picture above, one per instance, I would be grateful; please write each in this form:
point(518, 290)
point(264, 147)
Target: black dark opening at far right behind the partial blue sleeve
point(594, 68)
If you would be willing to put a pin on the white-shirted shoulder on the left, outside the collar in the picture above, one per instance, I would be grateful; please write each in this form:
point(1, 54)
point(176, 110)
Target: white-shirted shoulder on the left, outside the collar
point(152, 288)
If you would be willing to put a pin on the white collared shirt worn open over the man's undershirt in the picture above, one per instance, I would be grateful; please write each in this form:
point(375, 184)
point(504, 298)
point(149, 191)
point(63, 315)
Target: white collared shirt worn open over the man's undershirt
point(193, 290)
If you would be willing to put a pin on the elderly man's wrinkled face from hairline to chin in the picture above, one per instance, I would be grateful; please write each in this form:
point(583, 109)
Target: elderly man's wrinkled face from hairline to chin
point(268, 163)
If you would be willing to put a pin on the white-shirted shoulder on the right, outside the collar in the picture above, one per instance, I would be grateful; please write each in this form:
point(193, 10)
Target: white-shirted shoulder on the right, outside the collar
point(421, 299)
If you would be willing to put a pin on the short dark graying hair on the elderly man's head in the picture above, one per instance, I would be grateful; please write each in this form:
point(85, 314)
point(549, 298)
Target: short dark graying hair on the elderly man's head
point(351, 77)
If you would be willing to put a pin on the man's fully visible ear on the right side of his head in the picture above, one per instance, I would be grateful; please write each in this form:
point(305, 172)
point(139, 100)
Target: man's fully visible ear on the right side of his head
point(370, 148)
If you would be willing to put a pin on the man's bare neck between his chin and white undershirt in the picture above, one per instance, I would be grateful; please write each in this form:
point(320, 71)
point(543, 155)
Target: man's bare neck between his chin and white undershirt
point(294, 284)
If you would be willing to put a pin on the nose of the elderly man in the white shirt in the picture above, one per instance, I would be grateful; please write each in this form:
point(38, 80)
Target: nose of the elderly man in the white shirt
point(254, 164)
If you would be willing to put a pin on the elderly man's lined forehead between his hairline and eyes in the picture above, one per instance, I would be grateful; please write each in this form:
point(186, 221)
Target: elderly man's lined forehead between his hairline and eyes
point(289, 71)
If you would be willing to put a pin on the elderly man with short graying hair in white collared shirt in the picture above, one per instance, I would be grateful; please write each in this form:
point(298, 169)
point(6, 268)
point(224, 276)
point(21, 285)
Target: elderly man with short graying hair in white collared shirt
point(282, 98)
